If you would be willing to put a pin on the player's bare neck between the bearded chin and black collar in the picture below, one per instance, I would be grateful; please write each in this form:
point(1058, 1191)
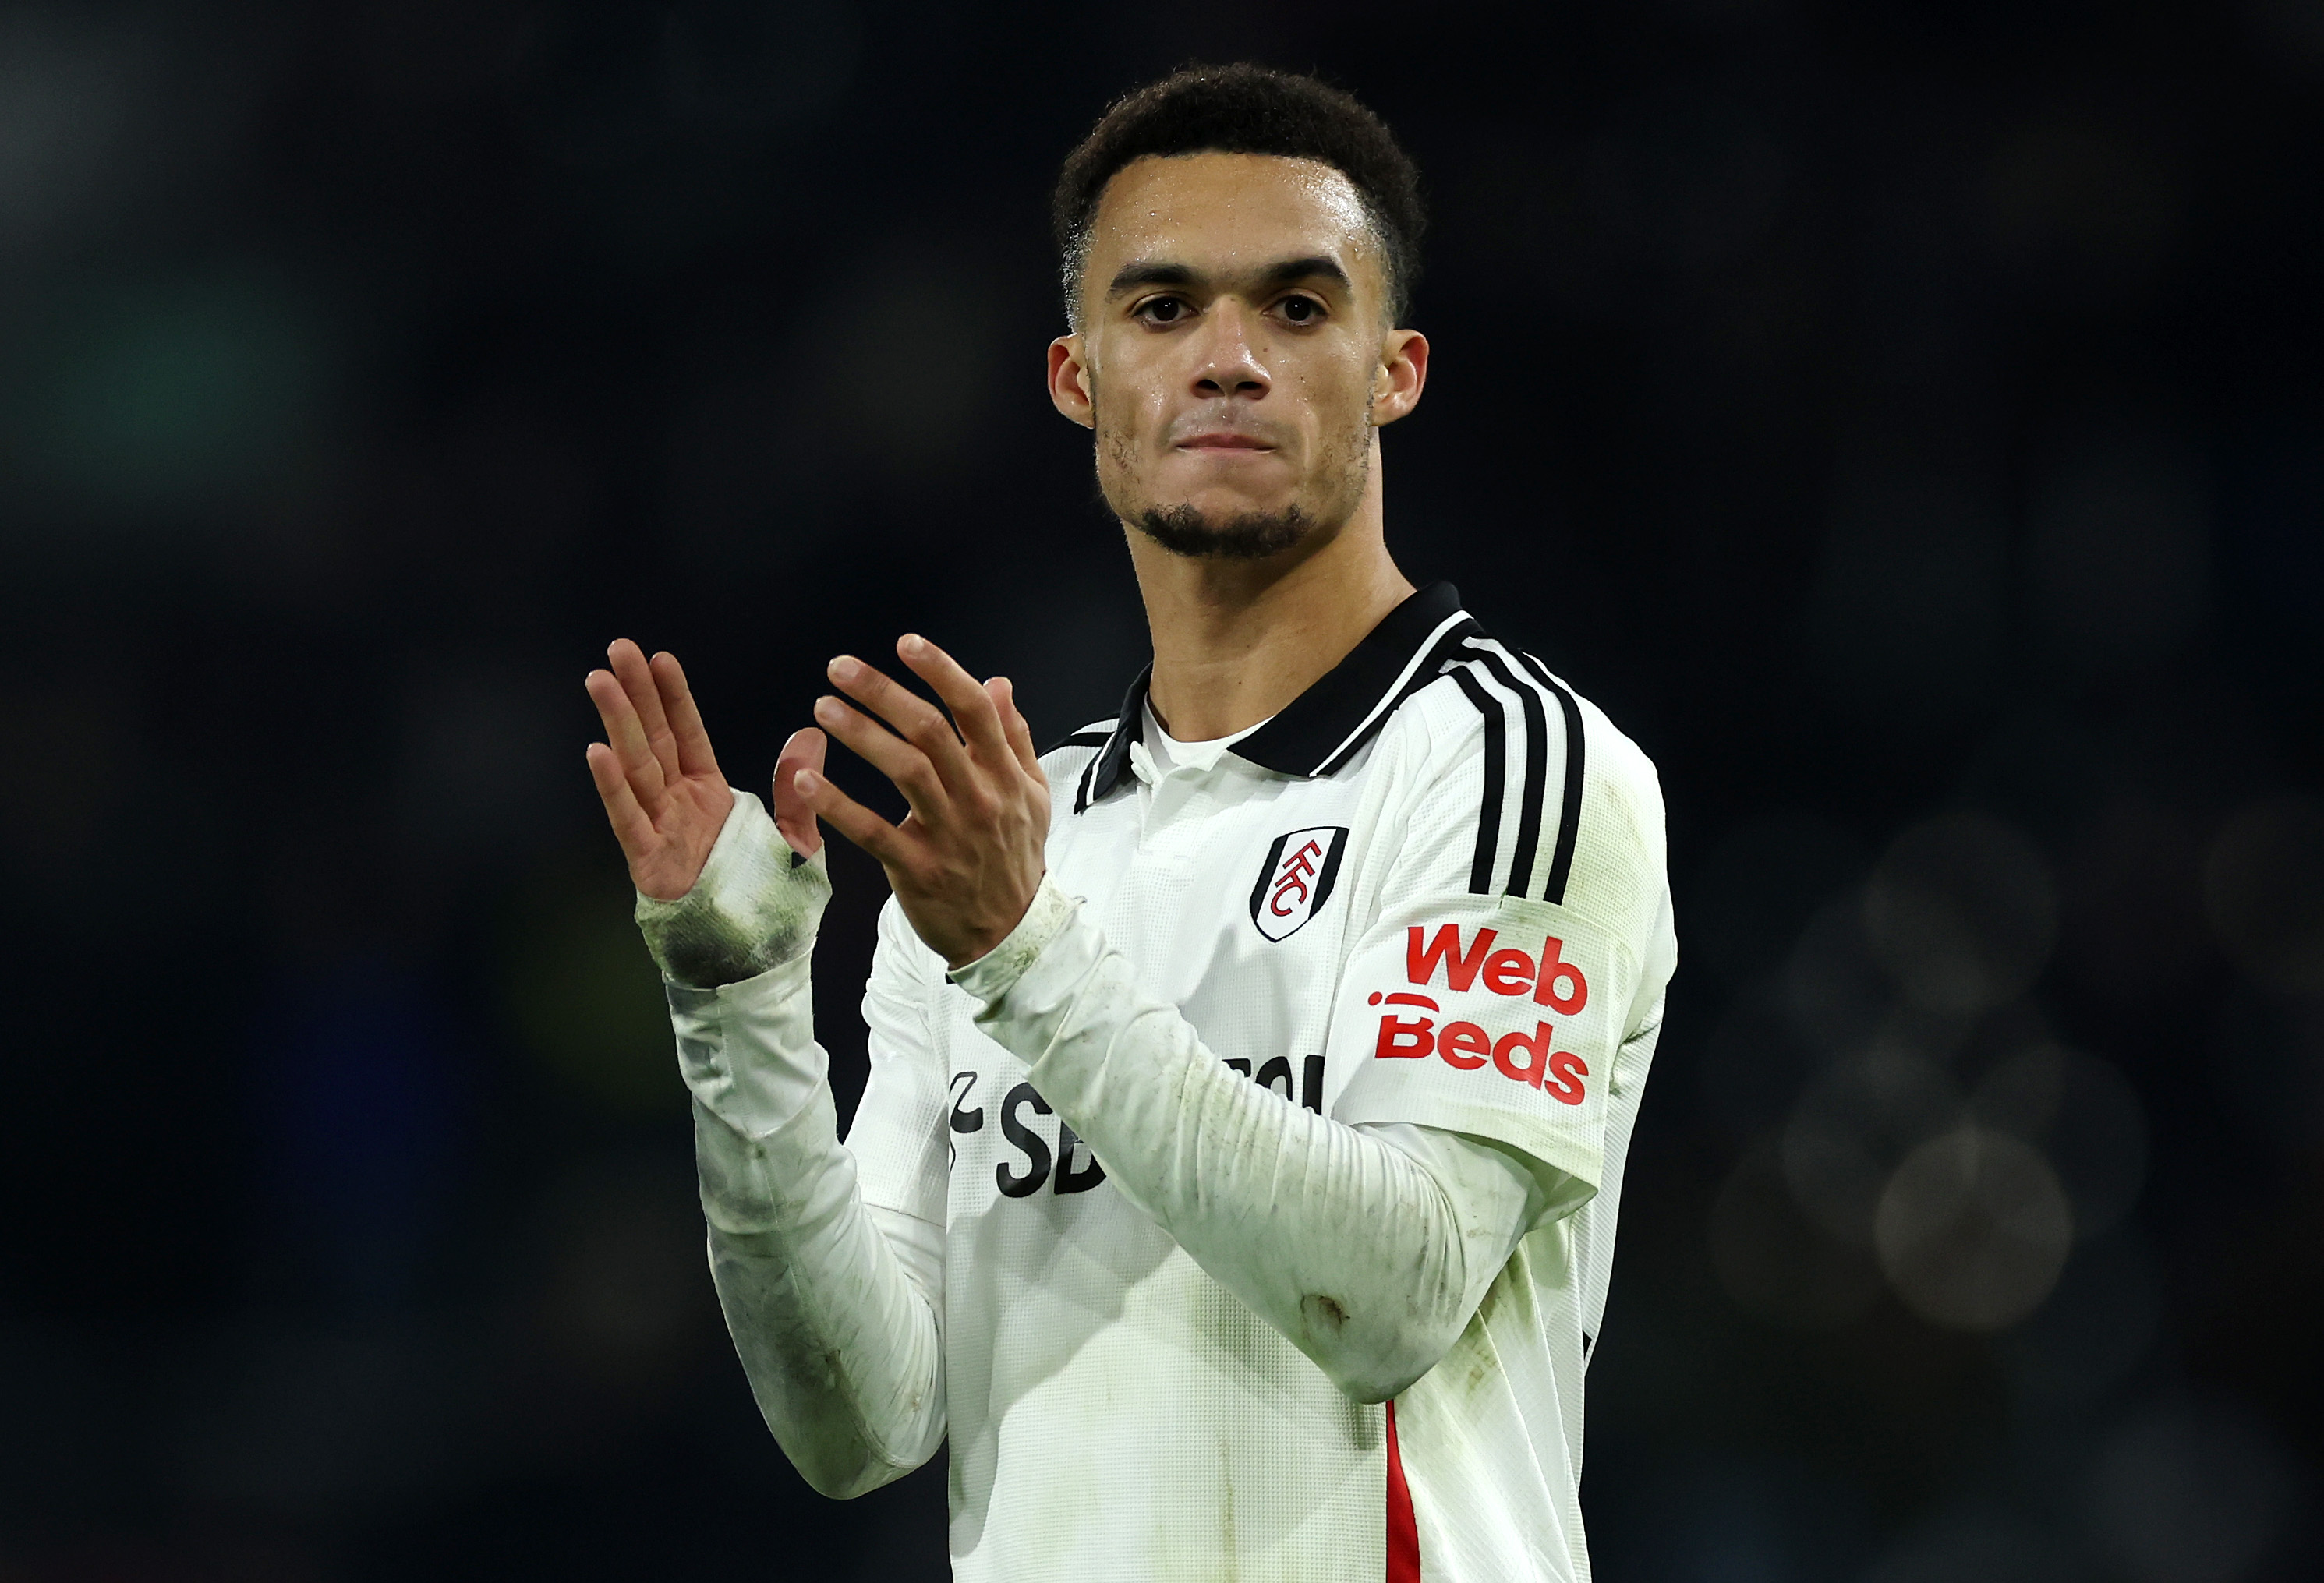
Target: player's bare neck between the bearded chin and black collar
point(1238, 640)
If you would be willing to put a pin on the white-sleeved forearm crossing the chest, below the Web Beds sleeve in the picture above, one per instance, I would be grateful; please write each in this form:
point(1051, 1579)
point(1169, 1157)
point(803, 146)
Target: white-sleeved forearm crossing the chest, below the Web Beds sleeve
point(1368, 1249)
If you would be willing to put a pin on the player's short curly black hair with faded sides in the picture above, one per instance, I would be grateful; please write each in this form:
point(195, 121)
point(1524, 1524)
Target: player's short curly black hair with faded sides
point(1247, 110)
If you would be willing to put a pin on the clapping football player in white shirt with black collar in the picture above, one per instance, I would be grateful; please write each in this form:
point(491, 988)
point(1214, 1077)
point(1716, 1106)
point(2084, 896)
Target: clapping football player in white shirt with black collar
point(1251, 1075)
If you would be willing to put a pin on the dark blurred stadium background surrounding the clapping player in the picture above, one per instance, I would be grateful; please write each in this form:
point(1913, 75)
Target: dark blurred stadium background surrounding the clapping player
point(1900, 417)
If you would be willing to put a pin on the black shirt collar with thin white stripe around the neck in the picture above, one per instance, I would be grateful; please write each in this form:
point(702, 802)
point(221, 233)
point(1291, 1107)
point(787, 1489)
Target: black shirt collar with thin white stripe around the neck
point(1321, 729)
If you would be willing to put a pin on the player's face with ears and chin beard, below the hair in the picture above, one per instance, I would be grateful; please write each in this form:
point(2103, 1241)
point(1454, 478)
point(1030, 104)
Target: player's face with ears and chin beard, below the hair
point(1233, 350)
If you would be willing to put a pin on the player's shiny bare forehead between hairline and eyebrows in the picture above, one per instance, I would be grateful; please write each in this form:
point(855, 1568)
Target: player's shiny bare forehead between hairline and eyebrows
point(1224, 210)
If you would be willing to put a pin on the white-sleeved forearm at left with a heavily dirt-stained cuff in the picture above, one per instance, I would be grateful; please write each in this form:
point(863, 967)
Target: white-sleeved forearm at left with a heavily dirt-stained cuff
point(833, 1308)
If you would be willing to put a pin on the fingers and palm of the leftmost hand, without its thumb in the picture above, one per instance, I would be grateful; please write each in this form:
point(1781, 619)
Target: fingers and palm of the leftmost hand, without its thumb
point(657, 771)
